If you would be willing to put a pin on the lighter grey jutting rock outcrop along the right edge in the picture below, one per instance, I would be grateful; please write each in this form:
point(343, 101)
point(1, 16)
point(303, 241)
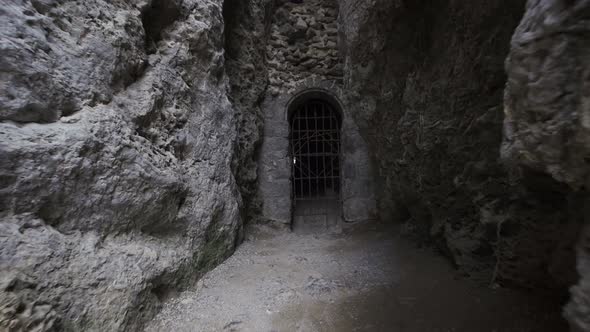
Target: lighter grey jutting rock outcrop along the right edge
point(547, 124)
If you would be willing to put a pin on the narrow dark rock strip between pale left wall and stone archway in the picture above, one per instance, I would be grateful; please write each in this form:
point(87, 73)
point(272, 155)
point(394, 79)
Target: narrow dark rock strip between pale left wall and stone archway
point(246, 25)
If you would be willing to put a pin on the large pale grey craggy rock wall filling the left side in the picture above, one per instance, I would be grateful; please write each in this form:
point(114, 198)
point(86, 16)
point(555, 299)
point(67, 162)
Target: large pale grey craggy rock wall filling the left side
point(116, 145)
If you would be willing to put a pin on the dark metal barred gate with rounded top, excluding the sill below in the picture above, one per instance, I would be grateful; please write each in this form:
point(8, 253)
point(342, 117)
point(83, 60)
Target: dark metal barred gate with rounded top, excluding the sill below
point(315, 152)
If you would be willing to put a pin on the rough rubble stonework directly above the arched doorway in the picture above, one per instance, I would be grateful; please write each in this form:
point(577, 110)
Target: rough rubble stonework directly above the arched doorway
point(303, 44)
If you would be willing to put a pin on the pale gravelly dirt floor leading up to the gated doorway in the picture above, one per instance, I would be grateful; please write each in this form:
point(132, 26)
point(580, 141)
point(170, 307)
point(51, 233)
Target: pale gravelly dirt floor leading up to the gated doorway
point(363, 280)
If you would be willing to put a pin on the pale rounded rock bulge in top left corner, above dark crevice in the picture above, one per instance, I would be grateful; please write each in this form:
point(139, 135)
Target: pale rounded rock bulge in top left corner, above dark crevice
point(50, 54)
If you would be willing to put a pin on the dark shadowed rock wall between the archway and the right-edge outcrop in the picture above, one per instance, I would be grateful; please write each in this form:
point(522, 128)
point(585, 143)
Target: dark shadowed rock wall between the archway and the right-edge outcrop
point(427, 81)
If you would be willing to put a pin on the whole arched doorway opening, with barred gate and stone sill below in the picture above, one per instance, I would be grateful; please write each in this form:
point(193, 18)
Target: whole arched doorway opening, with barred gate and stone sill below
point(315, 158)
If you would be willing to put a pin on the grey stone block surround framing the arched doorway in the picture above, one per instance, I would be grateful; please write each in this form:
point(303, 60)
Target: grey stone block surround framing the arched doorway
point(356, 201)
